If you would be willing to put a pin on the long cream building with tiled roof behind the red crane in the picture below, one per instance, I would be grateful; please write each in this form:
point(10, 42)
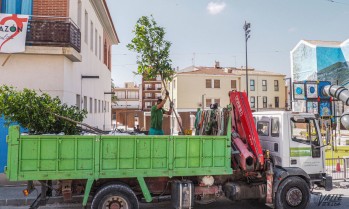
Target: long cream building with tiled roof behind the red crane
point(195, 87)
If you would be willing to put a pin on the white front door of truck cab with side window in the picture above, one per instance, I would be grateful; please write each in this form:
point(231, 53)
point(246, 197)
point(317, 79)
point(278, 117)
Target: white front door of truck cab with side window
point(305, 151)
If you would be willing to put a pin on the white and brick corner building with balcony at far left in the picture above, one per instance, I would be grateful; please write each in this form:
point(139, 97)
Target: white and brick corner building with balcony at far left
point(67, 54)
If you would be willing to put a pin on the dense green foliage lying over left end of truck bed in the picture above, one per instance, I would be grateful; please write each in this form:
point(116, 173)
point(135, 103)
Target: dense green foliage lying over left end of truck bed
point(37, 112)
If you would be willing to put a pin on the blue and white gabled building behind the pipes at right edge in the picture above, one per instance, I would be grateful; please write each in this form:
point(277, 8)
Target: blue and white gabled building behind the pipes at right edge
point(315, 60)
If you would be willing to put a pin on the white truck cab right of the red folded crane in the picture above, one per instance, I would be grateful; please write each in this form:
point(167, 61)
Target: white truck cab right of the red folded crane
point(294, 140)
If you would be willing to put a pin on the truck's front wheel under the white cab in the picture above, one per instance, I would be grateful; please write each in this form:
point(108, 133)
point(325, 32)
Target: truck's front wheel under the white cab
point(293, 193)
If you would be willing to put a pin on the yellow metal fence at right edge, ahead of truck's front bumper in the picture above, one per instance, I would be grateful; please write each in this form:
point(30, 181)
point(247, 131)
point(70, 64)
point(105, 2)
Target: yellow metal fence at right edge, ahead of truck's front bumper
point(338, 168)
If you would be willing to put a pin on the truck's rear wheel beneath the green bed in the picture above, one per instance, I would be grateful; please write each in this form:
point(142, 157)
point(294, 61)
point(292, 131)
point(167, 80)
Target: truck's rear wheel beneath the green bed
point(115, 196)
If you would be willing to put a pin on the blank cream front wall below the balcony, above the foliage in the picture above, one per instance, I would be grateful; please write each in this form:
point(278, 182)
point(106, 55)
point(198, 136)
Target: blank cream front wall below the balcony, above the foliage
point(39, 72)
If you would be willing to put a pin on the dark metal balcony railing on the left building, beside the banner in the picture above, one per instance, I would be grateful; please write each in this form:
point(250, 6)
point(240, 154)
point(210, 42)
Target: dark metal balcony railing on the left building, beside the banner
point(53, 31)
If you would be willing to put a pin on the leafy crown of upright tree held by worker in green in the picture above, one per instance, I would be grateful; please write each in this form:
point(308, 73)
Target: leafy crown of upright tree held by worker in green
point(153, 50)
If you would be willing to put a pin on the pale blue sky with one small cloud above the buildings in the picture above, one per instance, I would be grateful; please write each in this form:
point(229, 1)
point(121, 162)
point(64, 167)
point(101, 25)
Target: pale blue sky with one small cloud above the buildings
point(213, 30)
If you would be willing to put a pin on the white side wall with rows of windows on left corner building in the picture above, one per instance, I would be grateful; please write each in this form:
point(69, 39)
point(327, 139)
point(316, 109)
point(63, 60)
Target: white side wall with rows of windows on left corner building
point(90, 65)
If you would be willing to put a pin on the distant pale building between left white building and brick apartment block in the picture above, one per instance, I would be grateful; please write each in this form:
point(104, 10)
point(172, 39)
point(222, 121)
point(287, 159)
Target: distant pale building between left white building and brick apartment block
point(126, 109)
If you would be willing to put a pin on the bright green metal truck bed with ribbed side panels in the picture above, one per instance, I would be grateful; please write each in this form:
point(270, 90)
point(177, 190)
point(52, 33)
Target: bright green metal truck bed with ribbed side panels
point(51, 157)
